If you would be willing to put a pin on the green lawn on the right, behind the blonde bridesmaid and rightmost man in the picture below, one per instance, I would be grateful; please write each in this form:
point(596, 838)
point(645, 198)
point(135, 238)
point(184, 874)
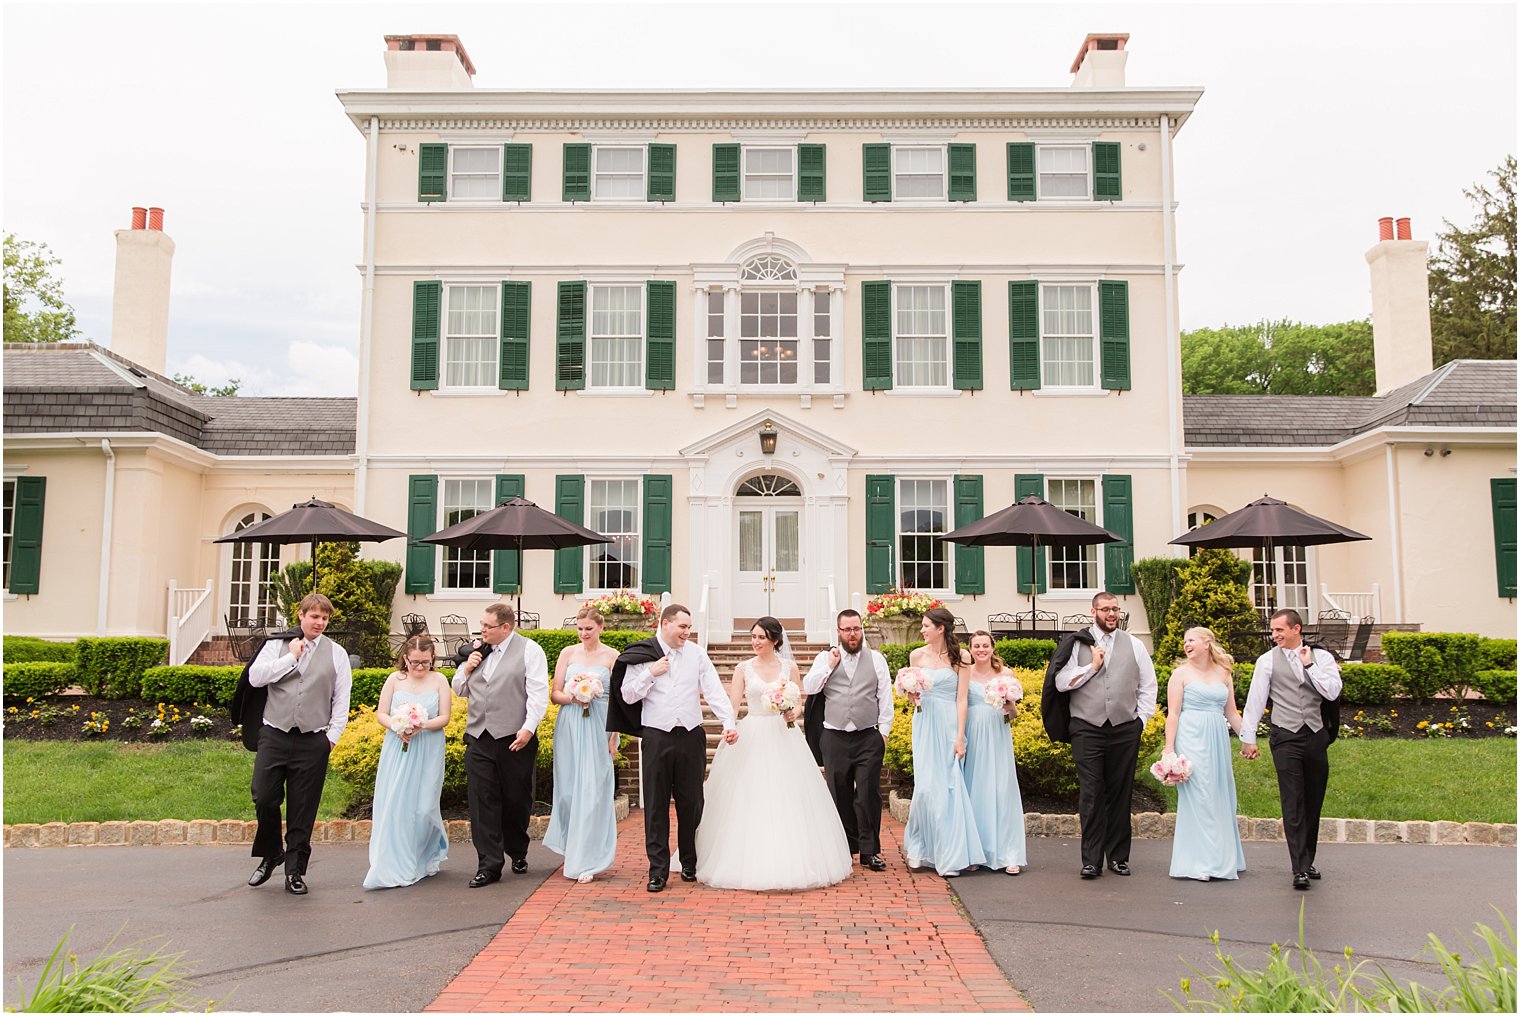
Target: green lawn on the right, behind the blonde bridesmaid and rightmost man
point(1396, 781)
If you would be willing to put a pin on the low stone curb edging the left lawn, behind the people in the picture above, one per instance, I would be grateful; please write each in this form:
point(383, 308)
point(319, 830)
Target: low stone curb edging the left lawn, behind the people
point(227, 831)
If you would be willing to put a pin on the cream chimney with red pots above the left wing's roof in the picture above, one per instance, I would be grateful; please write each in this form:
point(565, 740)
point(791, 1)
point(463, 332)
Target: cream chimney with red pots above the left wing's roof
point(141, 303)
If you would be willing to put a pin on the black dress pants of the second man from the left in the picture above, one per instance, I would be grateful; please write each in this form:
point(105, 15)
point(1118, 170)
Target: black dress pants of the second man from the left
point(499, 784)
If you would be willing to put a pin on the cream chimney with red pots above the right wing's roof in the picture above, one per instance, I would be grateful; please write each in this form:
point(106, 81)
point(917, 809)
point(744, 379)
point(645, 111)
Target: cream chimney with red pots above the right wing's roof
point(1401, 308)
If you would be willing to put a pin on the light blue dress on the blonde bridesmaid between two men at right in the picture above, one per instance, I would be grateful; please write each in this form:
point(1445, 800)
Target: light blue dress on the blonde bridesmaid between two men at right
point(1208, 840)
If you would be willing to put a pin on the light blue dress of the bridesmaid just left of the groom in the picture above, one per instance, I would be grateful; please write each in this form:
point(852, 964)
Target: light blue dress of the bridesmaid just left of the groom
point(583, 827)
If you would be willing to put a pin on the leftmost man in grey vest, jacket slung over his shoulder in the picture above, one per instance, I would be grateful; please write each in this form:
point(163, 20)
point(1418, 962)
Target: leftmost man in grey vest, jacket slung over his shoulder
point(308, 682)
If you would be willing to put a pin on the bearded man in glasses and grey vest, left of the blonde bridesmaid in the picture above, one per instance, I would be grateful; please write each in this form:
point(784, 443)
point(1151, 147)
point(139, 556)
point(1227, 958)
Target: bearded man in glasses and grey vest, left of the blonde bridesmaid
point(1112, 688)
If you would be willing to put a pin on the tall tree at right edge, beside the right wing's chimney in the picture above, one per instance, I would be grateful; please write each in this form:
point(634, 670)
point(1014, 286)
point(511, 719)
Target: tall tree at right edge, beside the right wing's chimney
point(1474, 278)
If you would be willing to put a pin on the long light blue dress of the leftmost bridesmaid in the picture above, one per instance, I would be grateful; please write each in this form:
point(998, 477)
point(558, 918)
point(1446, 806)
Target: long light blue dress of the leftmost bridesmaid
point(408, 840)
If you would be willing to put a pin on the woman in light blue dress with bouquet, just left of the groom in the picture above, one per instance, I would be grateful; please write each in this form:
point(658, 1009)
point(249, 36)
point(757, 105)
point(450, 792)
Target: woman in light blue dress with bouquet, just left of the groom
point(583, 827)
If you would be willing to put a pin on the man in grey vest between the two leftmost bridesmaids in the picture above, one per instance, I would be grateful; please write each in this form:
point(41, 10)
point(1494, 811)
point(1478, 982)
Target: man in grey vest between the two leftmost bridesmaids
point(505, 679)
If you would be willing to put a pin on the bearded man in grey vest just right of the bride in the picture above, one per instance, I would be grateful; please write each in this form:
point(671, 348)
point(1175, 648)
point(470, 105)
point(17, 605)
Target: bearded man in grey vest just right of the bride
point(852, 697)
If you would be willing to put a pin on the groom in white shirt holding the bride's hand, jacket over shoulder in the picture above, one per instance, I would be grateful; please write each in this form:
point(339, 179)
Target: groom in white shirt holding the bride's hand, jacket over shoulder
point(657, 691)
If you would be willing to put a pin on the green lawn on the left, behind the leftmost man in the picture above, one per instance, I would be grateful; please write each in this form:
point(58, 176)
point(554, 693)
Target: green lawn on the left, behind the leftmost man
point(71, 781)
